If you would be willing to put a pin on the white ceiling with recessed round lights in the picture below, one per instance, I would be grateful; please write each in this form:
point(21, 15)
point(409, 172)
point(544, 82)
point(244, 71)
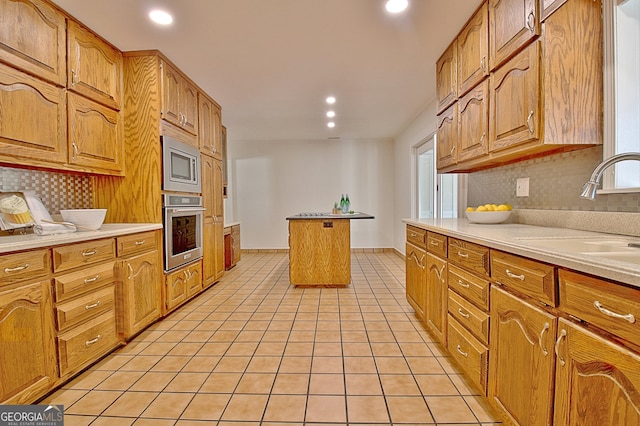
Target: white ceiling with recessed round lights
point(271, 63)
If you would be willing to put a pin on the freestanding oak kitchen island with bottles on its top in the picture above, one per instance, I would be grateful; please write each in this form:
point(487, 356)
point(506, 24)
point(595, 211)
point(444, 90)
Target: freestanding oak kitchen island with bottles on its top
point(320, 249)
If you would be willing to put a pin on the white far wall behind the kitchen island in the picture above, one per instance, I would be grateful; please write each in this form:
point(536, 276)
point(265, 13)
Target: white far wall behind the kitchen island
point(269, 181)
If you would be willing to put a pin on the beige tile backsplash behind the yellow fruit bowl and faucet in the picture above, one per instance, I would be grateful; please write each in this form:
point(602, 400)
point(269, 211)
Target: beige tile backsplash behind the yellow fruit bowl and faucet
point(555, 182)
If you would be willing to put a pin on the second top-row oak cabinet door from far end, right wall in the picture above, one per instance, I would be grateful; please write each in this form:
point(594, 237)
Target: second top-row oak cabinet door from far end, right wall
point(473, 49)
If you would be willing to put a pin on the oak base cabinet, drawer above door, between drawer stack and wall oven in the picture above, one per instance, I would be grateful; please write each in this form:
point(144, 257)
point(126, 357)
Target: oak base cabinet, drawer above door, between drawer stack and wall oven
point(139, 282)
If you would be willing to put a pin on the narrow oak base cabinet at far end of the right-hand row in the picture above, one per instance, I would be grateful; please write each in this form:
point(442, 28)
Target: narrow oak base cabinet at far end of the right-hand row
point(416, 267)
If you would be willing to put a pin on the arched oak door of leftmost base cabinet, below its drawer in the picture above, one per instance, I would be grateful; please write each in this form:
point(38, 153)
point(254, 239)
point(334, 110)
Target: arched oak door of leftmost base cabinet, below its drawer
point(27, 354)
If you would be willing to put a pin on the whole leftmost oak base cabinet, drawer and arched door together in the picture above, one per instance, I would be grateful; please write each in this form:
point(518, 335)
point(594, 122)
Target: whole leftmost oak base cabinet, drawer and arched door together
point(28, 361)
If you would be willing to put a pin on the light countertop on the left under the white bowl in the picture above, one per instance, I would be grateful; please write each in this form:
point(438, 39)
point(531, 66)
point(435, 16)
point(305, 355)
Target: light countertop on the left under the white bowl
point(11, 243)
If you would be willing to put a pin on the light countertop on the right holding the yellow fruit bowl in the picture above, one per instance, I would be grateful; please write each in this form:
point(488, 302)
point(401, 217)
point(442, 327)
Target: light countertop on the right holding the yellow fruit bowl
point(517, 239)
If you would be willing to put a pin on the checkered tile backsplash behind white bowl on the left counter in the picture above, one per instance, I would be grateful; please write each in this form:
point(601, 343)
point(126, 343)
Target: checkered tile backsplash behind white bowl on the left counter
point(56, 190)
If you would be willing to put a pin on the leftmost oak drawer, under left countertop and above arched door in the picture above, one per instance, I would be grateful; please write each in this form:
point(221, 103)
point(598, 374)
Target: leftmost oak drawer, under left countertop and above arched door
point(19, 266)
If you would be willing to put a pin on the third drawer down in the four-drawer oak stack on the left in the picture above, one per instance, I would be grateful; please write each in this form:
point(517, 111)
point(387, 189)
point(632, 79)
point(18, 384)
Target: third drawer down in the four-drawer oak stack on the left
point(83, 308)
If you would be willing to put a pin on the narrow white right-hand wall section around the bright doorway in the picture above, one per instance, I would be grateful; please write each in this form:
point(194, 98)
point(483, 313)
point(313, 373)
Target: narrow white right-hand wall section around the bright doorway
point(420, 128)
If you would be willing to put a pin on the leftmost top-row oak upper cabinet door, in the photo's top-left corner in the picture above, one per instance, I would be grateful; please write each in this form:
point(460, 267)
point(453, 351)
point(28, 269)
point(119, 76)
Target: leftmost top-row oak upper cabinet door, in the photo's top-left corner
point(33, 38)
